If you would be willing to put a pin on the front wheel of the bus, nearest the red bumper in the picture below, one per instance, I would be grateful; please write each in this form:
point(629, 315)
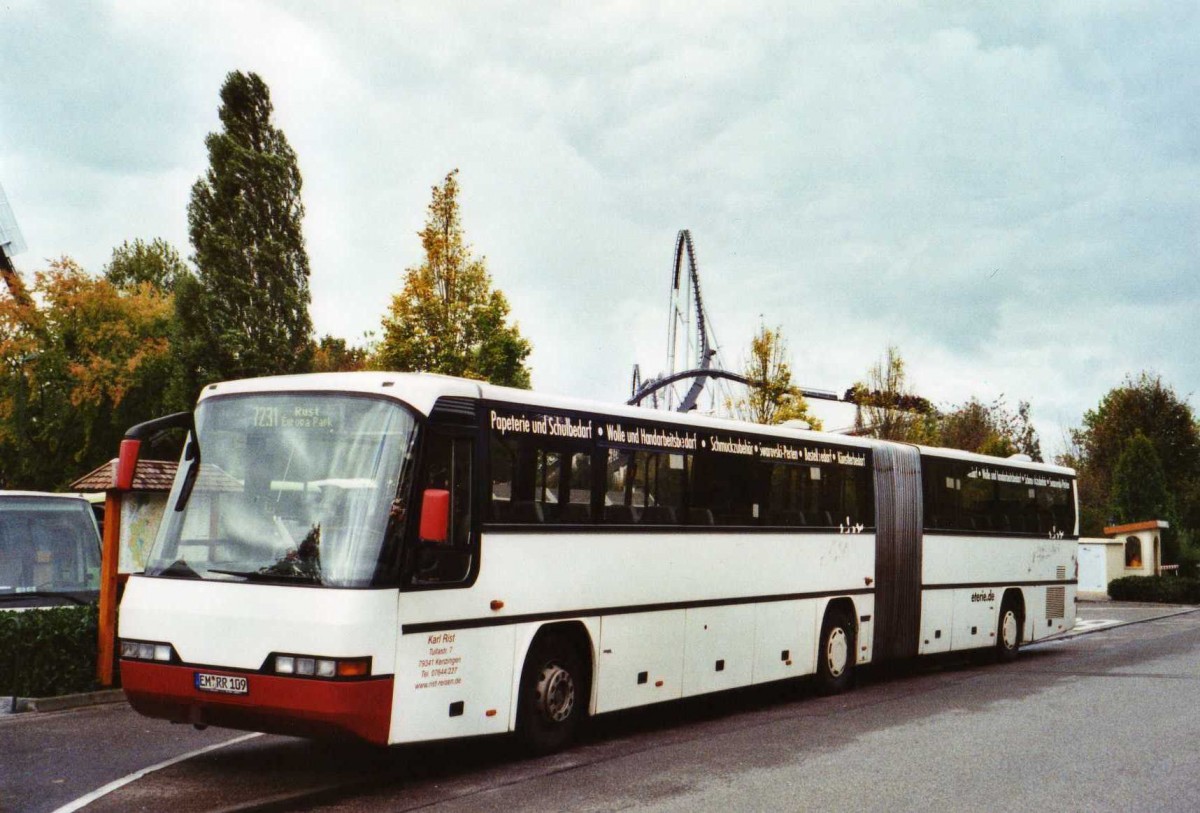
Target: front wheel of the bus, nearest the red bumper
point(553, 700)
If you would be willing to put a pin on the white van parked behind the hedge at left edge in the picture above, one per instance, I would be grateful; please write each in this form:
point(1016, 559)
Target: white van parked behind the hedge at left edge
point(50, 551)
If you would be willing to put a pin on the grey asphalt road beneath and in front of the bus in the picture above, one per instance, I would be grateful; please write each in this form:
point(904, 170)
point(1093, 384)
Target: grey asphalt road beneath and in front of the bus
point(1097, 722)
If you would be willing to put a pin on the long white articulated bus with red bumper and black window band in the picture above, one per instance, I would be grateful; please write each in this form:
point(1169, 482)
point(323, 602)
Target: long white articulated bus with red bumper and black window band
point(411, 557)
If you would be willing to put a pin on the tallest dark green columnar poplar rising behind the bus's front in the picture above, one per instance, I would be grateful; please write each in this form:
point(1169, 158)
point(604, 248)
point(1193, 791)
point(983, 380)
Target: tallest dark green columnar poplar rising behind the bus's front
point(248, 312)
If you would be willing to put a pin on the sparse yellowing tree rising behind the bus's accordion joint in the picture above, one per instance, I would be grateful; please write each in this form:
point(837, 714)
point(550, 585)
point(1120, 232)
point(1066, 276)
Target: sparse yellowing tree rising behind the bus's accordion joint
point(887, 407)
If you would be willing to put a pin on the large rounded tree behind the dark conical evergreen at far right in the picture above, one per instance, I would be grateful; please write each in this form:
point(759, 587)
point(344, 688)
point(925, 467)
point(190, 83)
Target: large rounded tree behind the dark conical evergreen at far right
point(1145, 405)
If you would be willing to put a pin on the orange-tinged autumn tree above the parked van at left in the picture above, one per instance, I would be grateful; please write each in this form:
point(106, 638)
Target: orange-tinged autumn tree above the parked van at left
point(80, 363)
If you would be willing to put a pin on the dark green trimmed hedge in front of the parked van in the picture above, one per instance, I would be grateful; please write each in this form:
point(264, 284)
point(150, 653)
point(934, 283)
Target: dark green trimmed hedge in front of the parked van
point(49, 652)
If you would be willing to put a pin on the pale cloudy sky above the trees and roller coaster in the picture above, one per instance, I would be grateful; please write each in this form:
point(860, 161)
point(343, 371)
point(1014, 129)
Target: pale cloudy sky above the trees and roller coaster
point(1009, 192)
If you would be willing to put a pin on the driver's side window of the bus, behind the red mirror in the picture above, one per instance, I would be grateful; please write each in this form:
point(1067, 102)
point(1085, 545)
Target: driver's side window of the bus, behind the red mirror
point(448, 463)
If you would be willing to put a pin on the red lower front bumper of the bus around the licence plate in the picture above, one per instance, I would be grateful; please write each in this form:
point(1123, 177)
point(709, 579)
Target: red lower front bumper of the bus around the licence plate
point(297, 707)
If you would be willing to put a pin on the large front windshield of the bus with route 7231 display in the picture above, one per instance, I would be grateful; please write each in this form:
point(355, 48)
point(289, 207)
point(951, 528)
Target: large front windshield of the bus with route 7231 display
point(291, 489)
